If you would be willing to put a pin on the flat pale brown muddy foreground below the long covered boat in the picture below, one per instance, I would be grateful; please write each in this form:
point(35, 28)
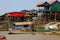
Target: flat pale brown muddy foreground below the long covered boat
point(30, 36)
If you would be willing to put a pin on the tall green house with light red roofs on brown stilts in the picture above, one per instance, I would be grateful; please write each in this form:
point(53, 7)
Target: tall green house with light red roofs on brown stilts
point(51, 10)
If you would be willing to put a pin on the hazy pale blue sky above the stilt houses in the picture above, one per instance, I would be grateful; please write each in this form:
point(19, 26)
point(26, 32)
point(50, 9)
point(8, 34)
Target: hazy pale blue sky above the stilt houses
point(17, 5)
